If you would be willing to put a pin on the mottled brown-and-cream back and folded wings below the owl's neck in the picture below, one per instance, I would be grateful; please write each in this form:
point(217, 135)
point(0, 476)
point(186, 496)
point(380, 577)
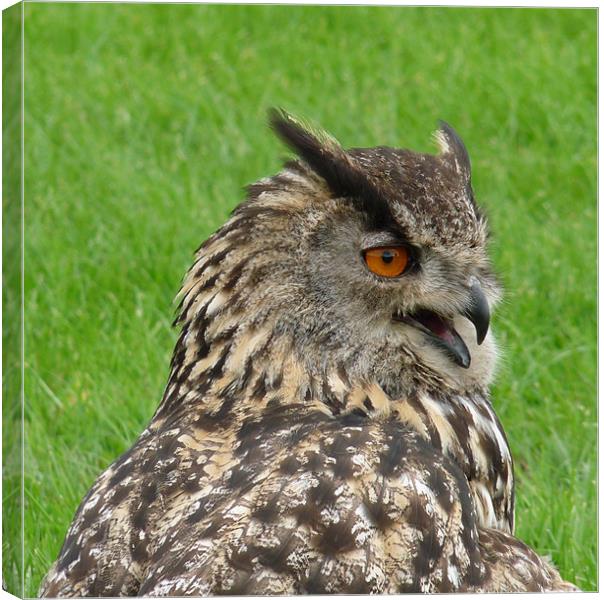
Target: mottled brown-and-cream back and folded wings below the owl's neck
point(295, 501)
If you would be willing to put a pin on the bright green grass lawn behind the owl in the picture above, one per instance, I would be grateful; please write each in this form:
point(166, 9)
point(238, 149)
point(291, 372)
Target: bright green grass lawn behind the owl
point(143, 123)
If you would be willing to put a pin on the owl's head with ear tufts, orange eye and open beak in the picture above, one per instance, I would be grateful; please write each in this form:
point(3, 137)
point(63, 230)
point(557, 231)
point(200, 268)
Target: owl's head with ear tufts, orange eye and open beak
point(368, 262)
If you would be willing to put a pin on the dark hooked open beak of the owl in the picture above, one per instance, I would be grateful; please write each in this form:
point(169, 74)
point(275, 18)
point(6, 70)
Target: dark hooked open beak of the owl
point(440, 330)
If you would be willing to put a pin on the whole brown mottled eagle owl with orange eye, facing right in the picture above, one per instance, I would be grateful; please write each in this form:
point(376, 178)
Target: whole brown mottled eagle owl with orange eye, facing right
point(326, 426)
